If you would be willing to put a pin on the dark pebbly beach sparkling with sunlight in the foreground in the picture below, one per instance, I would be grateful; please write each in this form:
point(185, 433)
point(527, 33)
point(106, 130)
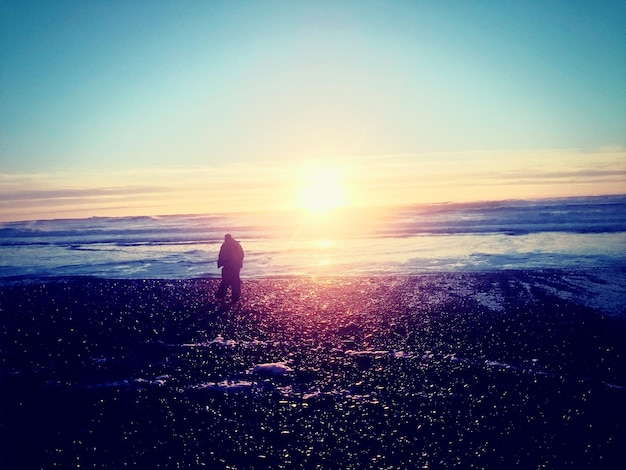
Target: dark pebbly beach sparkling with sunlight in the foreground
point(485, 370)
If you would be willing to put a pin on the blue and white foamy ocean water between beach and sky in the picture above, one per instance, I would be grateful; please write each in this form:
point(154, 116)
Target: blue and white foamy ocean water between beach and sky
point(570, 233)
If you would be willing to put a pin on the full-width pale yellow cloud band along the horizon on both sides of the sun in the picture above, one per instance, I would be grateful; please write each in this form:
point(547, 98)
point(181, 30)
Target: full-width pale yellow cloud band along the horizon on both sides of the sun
point(368, 180)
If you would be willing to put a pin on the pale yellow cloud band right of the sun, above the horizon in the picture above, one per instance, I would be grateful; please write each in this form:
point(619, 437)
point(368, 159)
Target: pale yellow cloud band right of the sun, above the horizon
point(489, 175)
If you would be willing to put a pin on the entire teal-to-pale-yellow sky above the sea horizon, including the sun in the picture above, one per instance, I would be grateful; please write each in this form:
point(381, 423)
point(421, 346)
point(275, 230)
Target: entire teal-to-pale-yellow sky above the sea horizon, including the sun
point(123, 107)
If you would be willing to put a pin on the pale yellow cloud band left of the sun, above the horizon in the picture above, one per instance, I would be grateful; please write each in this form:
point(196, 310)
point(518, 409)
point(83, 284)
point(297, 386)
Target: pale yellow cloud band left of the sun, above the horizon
point(147, 191)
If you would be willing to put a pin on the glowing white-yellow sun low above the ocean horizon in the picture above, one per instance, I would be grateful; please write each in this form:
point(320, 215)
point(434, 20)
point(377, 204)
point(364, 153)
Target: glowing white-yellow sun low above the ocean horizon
point(321, 190)
